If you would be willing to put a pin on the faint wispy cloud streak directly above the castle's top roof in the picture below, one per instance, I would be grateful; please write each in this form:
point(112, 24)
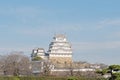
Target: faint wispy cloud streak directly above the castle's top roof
point(47, 29)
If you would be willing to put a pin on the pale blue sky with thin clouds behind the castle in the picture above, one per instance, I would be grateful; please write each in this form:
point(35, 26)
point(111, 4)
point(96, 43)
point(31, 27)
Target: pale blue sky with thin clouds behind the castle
point(91, 26)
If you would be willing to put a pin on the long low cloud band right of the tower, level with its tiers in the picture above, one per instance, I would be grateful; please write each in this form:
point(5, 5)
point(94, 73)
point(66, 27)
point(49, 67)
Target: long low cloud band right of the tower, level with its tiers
point(84, 46)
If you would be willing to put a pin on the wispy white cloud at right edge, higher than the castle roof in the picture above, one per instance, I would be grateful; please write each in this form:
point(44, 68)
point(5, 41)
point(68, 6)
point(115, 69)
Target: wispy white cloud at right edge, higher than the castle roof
point(101, 24)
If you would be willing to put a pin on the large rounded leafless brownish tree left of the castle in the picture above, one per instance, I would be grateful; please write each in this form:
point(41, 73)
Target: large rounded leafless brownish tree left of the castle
point(15, 64)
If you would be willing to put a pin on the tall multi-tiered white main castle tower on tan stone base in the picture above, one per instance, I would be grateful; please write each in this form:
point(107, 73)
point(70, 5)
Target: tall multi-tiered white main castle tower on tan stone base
point(60, 51)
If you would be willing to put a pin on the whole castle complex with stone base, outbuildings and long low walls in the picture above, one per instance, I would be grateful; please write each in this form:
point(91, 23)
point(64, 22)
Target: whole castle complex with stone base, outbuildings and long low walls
point(58, 58)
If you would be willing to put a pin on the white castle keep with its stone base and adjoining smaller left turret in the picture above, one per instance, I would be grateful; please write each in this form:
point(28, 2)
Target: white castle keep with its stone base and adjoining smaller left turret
point(60, 51)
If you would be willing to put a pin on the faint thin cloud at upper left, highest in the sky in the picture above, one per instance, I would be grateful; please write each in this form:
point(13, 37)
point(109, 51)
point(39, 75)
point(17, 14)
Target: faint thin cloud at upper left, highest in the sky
point(21, 11)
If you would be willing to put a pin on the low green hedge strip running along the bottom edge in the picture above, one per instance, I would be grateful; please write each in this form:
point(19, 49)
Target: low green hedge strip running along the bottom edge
point(49, 78)
